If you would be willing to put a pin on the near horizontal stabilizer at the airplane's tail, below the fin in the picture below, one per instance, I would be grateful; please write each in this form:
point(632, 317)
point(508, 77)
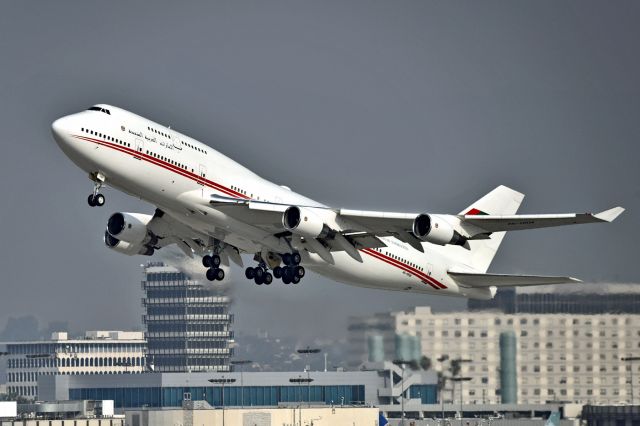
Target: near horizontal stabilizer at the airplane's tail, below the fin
point(470, 279)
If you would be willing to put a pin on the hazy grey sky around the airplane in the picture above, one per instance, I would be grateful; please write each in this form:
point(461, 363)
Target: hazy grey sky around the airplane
point(414, 106)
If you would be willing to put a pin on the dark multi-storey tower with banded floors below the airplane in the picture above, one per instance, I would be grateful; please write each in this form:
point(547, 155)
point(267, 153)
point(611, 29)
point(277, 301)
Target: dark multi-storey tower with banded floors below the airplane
point(187, 325)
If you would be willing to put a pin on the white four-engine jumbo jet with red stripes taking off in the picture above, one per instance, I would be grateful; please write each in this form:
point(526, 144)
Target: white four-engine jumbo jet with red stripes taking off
point(212, 207)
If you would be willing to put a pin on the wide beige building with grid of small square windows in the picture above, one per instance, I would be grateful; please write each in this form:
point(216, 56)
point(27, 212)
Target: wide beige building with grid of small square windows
point(558, 357)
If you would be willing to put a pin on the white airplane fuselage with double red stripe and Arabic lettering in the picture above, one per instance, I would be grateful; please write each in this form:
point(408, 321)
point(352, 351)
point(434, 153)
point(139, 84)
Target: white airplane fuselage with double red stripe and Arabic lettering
point(179, 175)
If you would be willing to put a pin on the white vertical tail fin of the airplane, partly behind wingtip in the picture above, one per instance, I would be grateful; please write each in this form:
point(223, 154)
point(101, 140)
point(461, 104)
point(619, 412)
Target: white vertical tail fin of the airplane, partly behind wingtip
point(500, 201)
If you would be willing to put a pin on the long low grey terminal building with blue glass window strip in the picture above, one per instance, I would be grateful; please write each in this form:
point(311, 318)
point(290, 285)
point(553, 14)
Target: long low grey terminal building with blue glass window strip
point(379, 384)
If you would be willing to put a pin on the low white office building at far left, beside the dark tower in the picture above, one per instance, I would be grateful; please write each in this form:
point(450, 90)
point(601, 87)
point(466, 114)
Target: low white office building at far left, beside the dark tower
point(98, 352)
